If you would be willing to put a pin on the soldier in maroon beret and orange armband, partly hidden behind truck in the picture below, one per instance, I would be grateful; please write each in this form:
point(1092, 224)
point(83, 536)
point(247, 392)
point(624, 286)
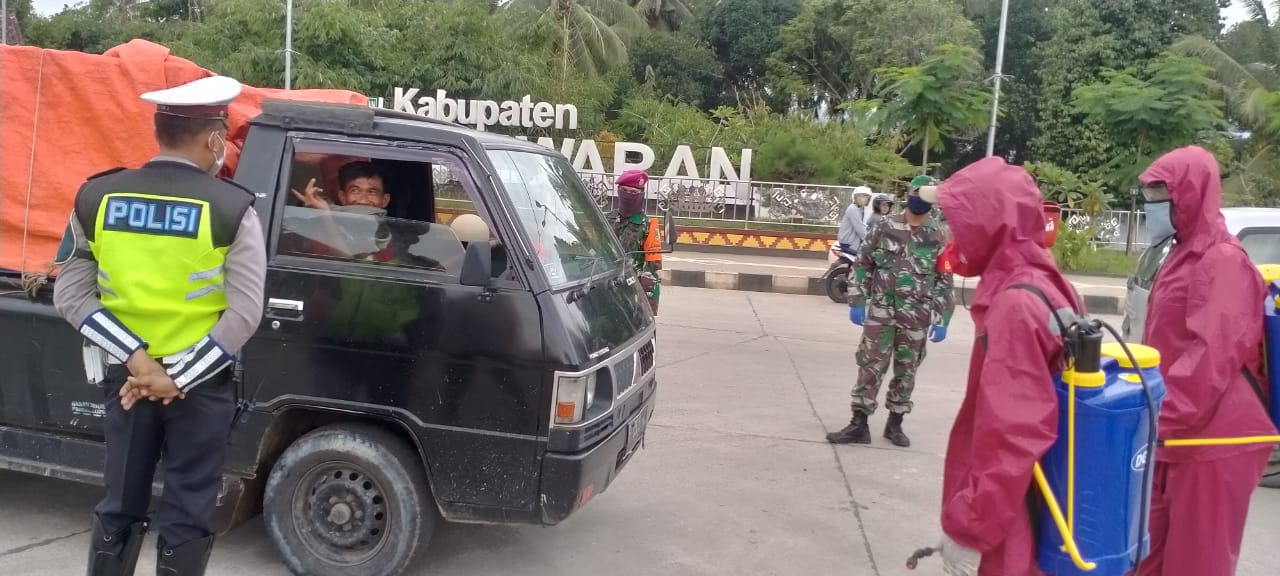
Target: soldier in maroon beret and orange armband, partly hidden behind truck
point(639, 235)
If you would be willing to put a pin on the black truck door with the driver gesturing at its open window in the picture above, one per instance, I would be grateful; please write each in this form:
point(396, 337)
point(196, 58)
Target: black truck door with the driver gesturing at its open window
point(367, 316)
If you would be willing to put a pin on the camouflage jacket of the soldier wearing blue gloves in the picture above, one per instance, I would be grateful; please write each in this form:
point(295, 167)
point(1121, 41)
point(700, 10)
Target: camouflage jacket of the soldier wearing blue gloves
point(898, 273)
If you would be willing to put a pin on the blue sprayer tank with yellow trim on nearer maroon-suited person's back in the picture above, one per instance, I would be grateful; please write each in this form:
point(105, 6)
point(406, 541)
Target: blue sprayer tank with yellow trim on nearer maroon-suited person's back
point(1113, 484)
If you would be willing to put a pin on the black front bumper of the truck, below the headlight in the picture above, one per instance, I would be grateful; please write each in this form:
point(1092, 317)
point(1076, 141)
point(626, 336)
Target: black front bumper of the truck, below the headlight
point(570, 481)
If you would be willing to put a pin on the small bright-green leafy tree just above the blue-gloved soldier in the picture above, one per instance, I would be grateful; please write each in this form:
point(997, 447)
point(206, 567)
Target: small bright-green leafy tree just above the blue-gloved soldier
point(941, 98)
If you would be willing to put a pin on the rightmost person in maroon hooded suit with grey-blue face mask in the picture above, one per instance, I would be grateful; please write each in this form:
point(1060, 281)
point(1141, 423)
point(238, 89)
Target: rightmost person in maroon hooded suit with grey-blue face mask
point(1205, 317)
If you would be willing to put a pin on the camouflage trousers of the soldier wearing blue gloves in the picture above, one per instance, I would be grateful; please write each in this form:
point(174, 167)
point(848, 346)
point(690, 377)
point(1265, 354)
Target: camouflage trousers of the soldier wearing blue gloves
point(889, 341)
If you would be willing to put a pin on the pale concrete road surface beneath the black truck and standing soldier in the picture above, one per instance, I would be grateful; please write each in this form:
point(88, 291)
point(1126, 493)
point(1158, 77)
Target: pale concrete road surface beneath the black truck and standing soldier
point(735, 477)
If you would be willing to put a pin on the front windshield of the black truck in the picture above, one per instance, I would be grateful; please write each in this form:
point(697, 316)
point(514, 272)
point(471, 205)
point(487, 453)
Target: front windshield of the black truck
point(570, 235)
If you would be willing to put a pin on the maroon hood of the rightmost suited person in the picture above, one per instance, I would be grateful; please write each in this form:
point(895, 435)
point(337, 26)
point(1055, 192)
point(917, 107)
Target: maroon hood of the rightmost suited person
point(1195, 185)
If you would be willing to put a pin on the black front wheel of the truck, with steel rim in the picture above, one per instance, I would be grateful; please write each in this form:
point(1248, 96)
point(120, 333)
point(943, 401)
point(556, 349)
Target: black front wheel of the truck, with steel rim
point(349, 501)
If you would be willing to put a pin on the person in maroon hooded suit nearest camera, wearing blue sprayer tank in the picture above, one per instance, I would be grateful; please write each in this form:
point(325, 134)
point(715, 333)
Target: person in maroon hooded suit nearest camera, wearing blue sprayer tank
point(1009, 417)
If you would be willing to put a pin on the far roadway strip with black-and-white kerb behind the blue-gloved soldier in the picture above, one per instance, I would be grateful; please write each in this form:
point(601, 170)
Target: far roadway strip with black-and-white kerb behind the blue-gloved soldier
point(803, 276)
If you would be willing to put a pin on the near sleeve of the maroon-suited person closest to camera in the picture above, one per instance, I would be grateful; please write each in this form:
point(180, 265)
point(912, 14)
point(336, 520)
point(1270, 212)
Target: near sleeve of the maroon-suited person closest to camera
point(1016, 422)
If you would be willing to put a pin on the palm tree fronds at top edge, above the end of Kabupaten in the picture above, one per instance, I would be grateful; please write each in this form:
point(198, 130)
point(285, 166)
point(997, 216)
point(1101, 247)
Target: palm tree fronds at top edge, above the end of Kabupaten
point(593, 34)
